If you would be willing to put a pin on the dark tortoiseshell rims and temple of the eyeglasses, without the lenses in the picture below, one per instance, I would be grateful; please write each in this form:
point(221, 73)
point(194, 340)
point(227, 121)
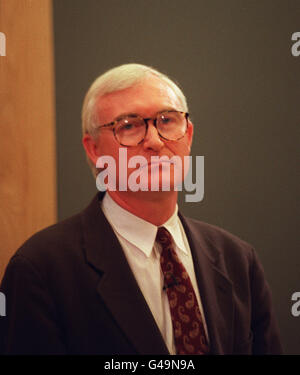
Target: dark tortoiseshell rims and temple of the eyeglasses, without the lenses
point(154, 119)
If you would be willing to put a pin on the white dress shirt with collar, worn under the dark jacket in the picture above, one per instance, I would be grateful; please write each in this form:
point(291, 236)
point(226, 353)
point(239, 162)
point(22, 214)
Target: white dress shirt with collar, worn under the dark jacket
point(137, 238)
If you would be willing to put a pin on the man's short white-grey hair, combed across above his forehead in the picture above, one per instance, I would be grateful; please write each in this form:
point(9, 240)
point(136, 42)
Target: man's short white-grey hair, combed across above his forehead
point(116, 79)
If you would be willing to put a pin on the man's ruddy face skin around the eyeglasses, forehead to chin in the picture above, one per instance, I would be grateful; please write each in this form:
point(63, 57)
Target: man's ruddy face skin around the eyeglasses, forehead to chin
point(146, 99)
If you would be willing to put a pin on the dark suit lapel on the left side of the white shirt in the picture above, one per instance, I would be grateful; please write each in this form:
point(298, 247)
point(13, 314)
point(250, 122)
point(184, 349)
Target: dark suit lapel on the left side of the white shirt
point(117, 286)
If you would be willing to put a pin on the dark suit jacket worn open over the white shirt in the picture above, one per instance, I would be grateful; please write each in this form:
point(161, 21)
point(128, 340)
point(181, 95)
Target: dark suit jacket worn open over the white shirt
point(69, 290)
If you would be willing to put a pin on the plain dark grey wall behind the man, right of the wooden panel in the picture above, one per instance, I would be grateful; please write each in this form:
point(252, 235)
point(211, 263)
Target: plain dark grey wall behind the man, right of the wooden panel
point(233, 60)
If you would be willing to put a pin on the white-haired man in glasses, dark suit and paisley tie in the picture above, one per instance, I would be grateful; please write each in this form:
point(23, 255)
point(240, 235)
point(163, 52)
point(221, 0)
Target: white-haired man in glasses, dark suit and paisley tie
point(129, 274)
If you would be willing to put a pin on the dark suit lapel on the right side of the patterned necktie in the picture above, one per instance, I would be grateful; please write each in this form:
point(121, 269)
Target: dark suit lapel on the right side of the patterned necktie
point(214, 287)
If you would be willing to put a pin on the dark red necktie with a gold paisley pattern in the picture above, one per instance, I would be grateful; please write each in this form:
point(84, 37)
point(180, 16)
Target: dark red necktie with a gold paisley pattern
point(189, 333)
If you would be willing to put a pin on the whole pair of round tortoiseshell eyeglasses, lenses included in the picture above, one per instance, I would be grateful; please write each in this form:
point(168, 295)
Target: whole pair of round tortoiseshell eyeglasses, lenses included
point(131, 130)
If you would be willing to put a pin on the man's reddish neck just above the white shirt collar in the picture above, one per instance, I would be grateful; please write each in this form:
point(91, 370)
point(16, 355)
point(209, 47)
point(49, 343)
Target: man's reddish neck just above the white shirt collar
point(156, 208)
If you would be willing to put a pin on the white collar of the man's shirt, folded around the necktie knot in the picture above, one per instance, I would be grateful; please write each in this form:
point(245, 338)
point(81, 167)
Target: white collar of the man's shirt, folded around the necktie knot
point(137, 231)
